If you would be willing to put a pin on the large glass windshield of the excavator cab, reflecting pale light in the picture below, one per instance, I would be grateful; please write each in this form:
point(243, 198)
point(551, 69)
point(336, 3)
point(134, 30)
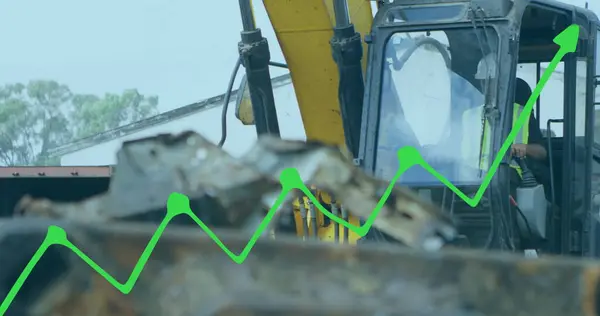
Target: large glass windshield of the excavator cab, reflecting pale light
point(432, 98)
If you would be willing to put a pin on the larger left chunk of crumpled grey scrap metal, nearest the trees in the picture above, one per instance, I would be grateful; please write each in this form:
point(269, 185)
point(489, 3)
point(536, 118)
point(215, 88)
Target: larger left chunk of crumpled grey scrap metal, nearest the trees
point(150, 169)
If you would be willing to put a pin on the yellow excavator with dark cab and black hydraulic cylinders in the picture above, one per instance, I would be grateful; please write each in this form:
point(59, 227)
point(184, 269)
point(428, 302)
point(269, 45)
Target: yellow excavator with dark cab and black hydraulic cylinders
point(373, 81)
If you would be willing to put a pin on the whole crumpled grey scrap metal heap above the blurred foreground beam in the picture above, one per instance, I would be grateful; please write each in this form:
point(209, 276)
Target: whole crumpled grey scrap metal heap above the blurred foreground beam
point(230, 192)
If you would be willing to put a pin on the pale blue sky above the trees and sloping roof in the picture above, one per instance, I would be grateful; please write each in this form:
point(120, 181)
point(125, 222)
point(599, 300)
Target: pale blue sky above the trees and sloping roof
point(181, 50)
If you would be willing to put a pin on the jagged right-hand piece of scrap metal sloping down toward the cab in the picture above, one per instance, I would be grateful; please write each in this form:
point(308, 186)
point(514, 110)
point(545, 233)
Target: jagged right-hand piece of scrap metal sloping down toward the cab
point(404, 216)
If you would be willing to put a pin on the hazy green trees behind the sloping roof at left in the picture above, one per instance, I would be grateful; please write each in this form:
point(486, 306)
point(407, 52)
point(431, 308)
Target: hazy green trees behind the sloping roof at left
point(43, 114)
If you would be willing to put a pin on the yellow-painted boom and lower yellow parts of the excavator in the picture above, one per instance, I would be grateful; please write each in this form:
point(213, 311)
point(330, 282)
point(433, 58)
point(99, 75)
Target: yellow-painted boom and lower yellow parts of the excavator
point(304, 29)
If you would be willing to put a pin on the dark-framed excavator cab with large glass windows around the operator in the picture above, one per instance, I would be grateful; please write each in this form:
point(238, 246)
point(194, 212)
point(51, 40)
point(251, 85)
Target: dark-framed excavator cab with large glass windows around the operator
point(442, 77)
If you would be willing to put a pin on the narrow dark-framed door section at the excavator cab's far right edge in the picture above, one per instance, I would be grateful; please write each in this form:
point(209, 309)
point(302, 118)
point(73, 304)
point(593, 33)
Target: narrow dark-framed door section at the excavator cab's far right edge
point(580, 69)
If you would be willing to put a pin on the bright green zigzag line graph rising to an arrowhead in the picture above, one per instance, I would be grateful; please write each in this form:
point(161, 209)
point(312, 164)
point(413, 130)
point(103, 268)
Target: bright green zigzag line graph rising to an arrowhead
point(178, 204)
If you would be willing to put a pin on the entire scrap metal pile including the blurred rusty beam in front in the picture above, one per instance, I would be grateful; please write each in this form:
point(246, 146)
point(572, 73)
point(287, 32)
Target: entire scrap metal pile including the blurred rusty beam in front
point(188, 274)
